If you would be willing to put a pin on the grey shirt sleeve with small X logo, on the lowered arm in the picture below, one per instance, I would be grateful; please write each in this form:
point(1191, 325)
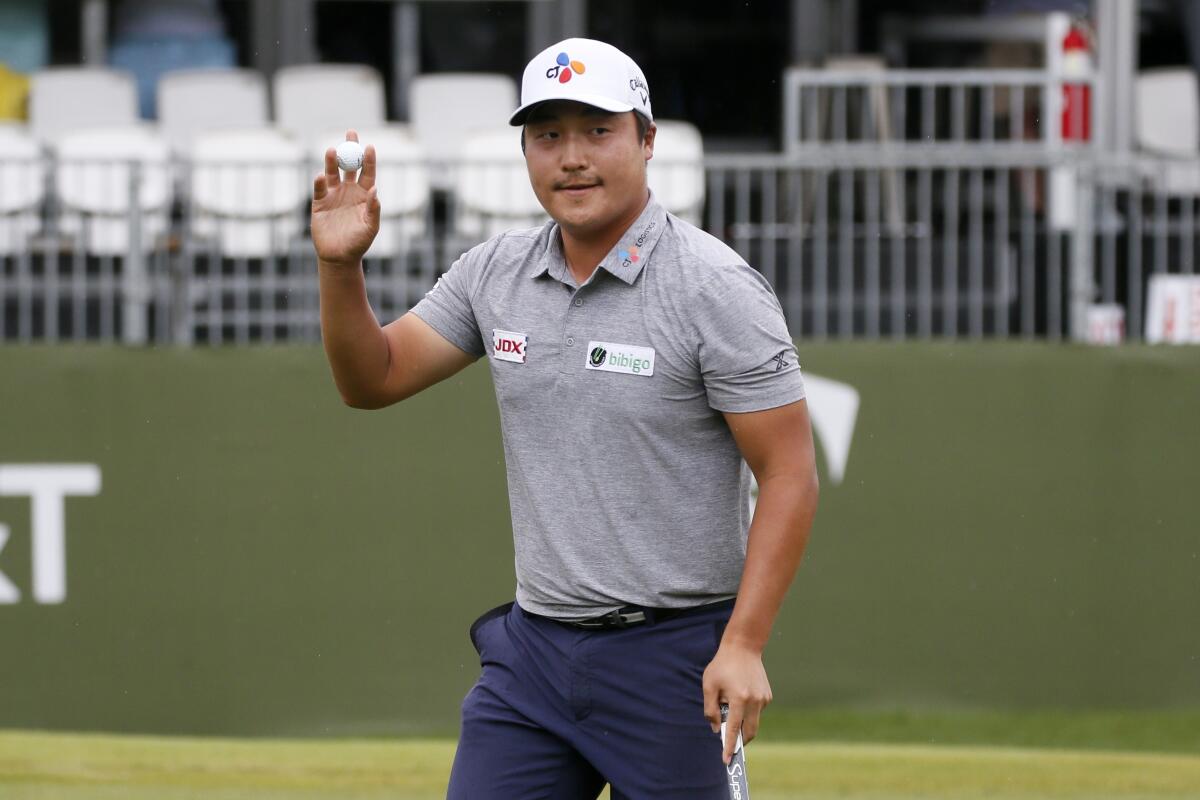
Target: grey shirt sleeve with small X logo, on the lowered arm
point(747, 357)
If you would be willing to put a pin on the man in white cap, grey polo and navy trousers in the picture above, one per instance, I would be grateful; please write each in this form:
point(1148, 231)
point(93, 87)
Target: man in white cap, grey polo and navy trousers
point(638, 362)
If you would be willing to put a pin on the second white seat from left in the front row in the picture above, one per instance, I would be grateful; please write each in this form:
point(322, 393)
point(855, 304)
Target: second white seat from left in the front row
point(97, 191)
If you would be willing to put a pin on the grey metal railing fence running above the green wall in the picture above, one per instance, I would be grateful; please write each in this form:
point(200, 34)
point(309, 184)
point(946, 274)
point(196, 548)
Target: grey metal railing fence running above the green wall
point(941, 222)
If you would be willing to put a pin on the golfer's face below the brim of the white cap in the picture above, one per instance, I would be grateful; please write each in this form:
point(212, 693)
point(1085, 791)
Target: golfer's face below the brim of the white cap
point(587, 166)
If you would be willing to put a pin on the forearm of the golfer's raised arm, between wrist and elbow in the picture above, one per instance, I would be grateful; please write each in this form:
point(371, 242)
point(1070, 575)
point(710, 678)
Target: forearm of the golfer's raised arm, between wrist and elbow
point(355, 342)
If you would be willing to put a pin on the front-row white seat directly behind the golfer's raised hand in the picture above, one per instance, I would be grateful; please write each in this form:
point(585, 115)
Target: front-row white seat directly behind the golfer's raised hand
point(403, 181)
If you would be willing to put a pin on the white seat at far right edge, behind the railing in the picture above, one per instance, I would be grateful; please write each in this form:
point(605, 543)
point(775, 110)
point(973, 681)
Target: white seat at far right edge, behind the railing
point(1167, 124)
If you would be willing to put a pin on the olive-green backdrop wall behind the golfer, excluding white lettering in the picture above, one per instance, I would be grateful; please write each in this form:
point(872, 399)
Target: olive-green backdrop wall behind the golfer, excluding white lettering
point(1017, 527)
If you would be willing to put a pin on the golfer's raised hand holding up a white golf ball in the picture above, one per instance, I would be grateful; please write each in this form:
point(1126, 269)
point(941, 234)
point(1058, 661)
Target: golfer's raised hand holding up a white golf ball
point(345, 212)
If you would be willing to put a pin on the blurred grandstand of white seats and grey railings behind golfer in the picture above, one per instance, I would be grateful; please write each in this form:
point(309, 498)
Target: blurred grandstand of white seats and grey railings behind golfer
point(897, 202)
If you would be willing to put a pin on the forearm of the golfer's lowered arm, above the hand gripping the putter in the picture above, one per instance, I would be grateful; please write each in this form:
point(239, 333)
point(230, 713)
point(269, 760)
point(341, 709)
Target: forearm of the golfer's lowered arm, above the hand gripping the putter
point(779, 534)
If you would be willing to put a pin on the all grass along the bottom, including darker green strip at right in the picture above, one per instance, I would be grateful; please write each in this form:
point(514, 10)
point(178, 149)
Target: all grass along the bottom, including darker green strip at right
point(817, 755)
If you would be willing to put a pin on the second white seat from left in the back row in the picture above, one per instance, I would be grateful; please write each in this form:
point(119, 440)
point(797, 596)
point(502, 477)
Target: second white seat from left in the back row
point(196, 101)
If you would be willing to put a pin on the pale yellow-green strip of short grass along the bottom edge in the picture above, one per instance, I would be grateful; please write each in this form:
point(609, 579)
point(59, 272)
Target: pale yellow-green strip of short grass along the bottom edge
point(58, 767)
